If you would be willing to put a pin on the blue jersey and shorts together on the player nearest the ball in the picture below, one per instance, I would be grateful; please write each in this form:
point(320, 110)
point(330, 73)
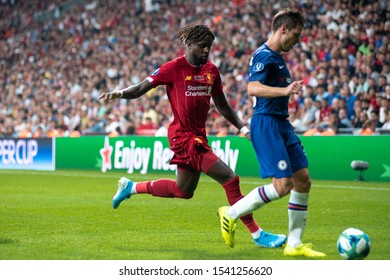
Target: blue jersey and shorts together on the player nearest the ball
point(278, 149)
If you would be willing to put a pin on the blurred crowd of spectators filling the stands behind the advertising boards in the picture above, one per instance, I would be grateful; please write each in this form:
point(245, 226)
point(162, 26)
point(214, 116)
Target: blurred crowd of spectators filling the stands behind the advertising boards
point(56, 57)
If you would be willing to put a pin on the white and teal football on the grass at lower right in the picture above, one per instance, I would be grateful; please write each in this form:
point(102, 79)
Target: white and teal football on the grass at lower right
point(353, 244)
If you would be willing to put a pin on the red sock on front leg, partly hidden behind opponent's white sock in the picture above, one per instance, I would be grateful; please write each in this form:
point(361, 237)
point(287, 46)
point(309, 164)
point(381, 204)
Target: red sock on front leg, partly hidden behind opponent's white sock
point(233, 194)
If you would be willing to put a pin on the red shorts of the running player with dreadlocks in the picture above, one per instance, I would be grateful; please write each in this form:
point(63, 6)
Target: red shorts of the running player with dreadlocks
point(193, 152)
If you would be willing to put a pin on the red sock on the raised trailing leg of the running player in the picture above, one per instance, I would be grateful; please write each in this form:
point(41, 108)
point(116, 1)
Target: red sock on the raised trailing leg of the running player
point(162, 188)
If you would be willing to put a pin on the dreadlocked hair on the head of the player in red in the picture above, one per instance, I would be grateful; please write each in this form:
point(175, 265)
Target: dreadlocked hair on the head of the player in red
point(190, 34)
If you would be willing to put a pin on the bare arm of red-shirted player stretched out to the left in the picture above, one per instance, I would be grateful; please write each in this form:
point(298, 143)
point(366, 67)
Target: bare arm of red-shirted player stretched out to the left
point(131, 92)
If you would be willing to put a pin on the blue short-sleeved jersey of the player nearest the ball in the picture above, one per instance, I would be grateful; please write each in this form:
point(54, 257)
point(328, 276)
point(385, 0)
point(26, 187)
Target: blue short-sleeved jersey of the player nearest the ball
point(268, 67)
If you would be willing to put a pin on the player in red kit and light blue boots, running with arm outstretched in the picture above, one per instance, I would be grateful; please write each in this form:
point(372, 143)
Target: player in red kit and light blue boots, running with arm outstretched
point(191, 81)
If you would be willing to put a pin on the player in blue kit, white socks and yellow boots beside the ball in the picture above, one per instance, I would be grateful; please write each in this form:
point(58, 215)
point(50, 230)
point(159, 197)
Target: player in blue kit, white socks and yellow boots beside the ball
point(278, 149)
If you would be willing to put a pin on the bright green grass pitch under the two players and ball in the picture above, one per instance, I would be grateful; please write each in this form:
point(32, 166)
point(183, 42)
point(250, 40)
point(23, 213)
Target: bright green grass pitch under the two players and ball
point(67, 215)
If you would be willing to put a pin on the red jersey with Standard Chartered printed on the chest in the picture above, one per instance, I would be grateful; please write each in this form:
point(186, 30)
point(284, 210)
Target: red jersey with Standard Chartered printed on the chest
point(189, 91)
